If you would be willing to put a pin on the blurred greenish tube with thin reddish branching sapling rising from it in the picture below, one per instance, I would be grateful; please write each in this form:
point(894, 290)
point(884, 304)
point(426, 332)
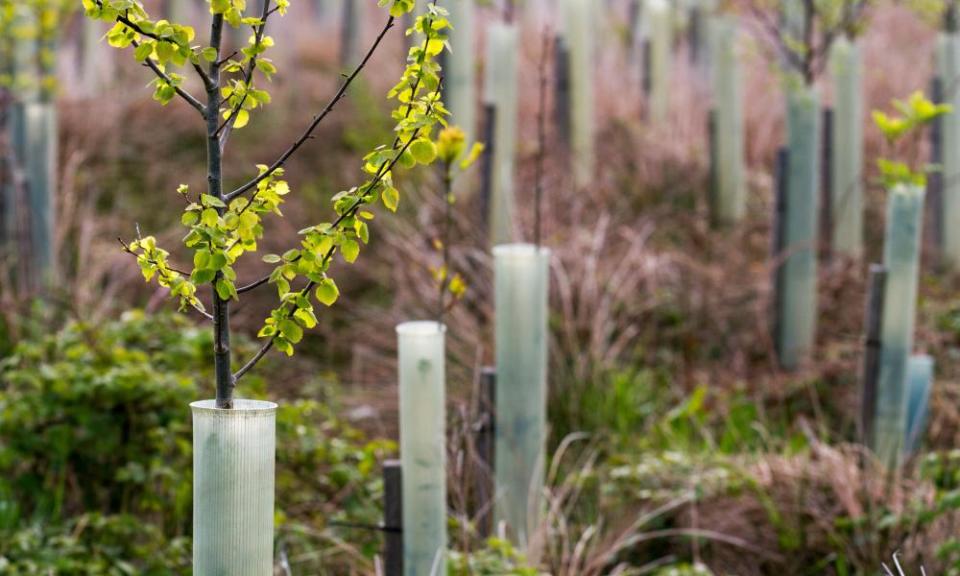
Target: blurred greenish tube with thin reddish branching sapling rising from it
point(798, 313)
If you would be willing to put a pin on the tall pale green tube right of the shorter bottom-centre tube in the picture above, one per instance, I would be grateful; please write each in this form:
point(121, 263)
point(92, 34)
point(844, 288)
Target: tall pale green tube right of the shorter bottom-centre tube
point(521, 282)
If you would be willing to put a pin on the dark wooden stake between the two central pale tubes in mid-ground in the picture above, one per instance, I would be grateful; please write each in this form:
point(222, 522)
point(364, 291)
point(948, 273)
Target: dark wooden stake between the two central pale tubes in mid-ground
point(485, 443)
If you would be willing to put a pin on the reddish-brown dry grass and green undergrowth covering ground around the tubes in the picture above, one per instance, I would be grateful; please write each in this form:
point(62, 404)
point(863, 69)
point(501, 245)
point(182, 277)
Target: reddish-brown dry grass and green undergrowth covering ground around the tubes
point(678, 447)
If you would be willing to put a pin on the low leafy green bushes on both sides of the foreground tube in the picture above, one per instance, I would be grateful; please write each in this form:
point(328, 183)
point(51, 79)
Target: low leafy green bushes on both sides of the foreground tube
point(95, 443)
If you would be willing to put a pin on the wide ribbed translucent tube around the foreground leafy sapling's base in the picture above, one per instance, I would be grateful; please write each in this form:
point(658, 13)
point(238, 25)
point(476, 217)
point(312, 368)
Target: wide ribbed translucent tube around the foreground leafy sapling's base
point(233, 488)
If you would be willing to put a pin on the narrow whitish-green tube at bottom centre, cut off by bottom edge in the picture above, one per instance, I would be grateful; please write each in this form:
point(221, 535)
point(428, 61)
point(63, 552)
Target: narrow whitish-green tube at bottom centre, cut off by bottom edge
point(423, 447)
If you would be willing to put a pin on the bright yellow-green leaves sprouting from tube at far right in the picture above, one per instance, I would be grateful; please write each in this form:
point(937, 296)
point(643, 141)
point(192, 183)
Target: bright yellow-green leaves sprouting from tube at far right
point(900, 129)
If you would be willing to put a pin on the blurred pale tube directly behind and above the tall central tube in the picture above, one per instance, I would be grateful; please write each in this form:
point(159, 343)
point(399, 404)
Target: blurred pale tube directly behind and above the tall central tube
point(500, 89)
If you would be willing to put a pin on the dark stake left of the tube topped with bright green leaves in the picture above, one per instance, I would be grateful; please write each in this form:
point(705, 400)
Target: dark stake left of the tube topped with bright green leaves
point(871, 356)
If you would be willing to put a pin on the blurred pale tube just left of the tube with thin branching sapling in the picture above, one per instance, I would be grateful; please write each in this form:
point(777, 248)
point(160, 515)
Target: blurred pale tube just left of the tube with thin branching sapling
point(730, 184)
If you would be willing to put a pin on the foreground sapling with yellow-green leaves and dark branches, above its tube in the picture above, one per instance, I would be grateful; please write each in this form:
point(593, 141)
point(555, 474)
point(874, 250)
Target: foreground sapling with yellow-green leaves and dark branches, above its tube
point(223, 225)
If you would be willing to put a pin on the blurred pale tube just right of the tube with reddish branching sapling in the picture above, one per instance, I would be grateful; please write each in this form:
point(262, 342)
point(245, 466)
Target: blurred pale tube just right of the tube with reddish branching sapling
point(847, 148)
